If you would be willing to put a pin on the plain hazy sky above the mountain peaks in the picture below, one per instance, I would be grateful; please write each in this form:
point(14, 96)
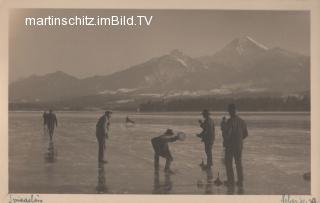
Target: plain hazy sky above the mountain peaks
point(85, 51)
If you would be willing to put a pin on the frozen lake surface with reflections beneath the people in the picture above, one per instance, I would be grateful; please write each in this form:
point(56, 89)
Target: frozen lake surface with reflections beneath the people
point(275, 156)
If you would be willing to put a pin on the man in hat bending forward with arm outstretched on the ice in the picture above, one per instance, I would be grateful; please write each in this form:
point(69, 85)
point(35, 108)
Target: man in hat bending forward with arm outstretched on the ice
point(161, 148)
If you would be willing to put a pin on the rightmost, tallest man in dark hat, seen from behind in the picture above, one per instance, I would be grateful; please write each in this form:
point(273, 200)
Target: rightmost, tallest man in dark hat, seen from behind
point(236, 131)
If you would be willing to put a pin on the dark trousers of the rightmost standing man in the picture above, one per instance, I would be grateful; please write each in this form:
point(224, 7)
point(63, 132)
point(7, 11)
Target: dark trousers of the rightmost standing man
point(236, 153)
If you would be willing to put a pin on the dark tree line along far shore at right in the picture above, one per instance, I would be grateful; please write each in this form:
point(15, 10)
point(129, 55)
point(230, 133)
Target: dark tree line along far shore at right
point(289, 103)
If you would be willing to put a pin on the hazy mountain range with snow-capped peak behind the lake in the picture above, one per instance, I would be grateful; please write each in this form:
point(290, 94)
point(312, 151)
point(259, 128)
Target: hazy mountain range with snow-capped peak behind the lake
point(243, 66)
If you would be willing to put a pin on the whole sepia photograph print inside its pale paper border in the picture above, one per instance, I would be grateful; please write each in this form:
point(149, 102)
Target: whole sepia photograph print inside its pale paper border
point(159, 101)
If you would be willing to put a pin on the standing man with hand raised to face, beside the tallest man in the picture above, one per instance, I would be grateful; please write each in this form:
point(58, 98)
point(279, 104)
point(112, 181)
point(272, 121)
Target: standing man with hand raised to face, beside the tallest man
point(207, 136)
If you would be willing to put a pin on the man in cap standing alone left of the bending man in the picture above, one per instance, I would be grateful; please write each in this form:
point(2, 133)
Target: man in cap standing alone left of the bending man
point(102, 129)
